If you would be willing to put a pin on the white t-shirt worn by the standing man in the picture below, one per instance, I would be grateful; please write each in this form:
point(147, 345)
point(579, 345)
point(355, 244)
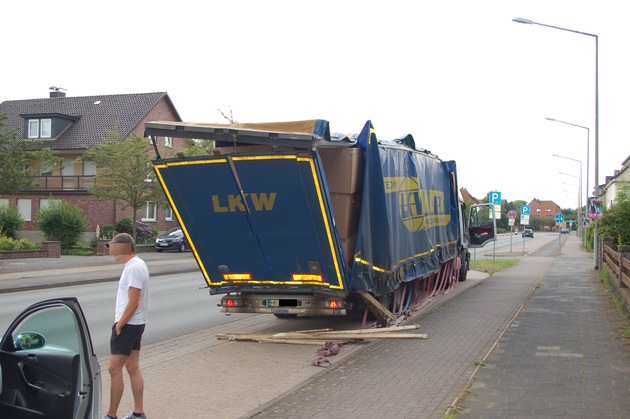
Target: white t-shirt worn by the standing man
point(136, 275)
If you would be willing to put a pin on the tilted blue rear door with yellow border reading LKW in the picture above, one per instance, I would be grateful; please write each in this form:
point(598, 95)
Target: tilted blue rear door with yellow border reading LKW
point(257, 220)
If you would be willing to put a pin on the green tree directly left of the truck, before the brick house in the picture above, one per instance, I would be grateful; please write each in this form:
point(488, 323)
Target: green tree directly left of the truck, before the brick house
point(125, 172)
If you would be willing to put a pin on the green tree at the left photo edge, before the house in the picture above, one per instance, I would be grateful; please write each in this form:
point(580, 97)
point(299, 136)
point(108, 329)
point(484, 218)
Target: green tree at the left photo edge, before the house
point(20, 160)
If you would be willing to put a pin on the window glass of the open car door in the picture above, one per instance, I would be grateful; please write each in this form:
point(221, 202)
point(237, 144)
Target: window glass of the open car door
point(56, 324)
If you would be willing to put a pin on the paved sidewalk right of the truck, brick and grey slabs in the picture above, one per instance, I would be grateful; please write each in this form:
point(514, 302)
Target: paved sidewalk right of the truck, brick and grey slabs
point(541, 339)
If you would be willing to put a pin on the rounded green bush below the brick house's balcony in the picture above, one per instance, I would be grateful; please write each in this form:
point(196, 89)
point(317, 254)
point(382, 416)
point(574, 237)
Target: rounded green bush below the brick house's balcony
point(62, 221)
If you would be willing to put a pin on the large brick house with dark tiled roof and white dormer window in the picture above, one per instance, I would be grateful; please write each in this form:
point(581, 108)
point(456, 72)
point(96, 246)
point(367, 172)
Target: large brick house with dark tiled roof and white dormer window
point(72, 125)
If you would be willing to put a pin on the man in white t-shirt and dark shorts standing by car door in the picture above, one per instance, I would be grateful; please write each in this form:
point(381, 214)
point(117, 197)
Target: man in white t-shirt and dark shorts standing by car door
point(132, 306)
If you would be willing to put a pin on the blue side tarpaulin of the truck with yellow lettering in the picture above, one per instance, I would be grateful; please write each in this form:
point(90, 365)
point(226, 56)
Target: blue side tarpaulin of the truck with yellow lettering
point(408, 223)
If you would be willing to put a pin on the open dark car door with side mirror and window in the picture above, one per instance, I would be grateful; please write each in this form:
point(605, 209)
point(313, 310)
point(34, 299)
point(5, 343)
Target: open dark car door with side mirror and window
point(48, 366)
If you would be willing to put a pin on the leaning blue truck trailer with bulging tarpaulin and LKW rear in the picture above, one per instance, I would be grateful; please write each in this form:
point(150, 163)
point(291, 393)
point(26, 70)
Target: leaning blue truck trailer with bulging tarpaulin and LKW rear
point(289, 219)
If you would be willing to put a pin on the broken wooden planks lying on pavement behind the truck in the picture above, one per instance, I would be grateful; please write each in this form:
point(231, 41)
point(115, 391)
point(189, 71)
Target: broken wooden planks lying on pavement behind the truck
point(318, 336)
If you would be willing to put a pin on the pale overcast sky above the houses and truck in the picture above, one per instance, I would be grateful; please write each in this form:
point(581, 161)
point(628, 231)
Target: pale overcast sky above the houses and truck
point(467, 82)
